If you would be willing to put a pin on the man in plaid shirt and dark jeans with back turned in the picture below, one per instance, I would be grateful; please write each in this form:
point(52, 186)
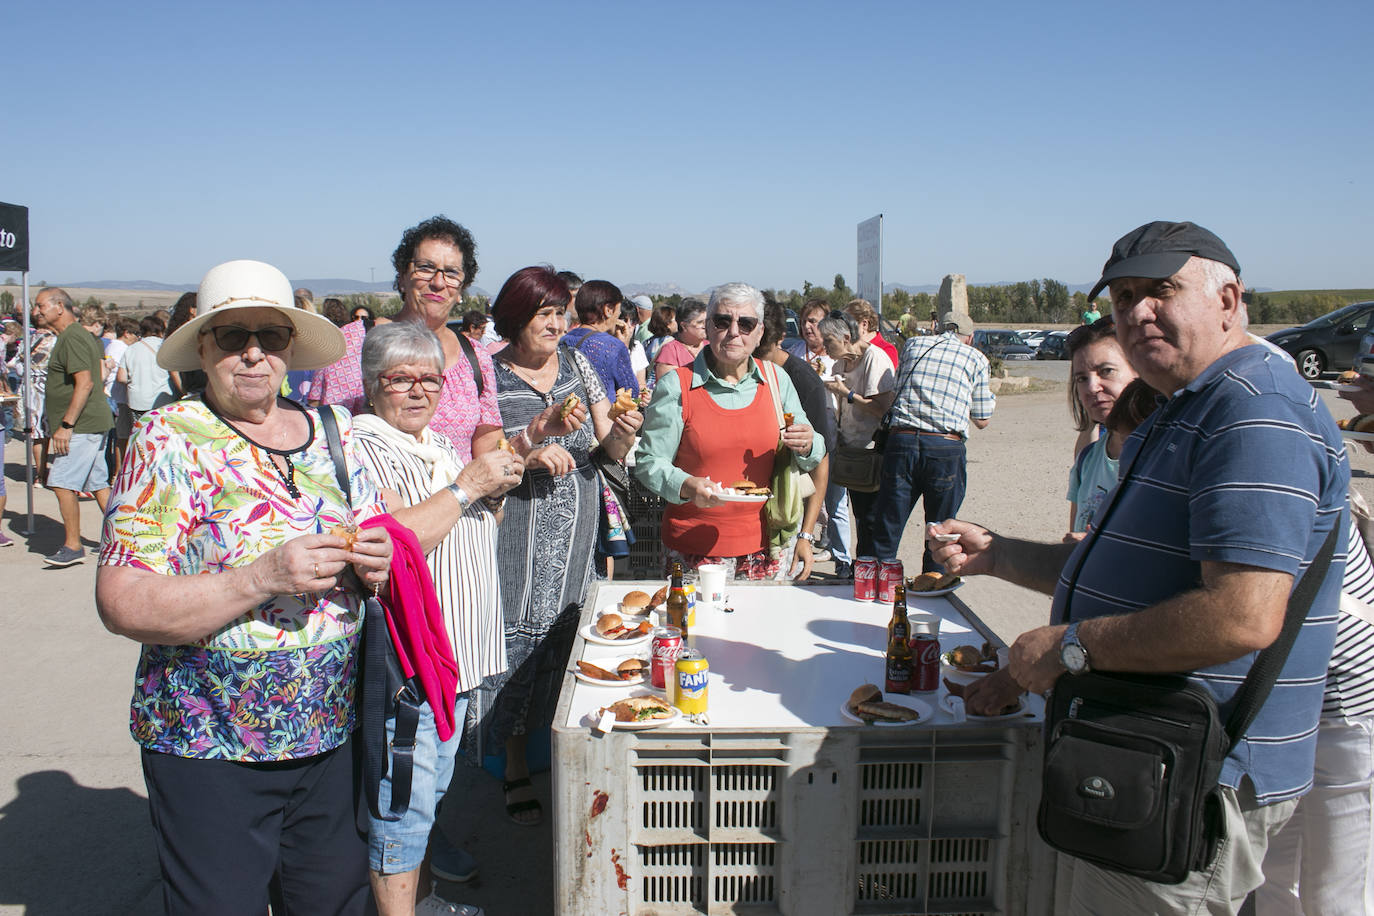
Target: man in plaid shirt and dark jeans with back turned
point(942, 388)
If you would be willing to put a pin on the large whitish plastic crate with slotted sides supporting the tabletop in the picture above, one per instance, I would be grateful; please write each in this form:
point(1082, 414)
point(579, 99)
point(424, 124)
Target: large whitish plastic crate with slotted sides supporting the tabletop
point(799, 821)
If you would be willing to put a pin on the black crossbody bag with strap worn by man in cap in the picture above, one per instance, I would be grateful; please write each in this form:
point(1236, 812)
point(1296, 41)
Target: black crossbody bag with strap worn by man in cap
point(1133, 762)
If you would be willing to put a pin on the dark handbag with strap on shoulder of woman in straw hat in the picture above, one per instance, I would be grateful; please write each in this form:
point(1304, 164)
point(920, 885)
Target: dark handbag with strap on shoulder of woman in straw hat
point(385, 690)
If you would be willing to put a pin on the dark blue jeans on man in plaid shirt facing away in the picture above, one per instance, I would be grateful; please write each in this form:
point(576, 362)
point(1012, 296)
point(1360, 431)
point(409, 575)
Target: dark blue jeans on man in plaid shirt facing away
point(917, 468)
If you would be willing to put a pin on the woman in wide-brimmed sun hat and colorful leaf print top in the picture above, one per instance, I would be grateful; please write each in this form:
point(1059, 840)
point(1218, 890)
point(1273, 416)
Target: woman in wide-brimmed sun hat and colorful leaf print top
point(218, 556)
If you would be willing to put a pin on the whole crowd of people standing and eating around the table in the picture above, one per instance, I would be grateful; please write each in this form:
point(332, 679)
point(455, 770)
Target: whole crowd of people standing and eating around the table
point(277, 466)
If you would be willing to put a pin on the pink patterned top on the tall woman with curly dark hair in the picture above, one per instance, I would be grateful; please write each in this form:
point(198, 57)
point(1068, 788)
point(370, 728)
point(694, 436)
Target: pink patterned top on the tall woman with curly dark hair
point(460, 410)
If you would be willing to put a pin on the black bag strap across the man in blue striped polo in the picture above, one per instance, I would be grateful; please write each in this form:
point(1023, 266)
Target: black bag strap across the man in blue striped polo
point(1268, 665)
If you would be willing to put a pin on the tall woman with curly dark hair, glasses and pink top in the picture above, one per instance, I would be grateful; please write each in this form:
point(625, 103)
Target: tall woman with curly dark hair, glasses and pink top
point(435, 263)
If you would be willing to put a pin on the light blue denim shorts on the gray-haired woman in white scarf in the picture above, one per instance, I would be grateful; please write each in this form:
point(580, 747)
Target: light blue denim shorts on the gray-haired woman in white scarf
point(399, 847)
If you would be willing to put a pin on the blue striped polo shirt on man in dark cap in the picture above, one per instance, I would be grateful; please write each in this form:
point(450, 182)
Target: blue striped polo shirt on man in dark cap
point(1243, 466)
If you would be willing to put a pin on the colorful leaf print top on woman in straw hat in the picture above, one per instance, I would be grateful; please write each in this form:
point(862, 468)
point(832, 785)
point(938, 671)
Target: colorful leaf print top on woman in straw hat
point(197, 498)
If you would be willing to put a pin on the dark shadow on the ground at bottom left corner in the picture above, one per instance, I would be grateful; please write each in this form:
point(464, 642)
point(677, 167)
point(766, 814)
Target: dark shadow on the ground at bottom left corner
point(74, 849)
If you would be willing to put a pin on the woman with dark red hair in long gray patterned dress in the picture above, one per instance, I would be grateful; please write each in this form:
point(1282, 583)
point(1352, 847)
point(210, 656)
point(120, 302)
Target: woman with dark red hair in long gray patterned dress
point(546, 543)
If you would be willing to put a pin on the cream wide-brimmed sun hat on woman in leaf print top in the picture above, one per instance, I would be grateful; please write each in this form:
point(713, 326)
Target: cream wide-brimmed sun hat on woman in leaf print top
point(252, 285)
